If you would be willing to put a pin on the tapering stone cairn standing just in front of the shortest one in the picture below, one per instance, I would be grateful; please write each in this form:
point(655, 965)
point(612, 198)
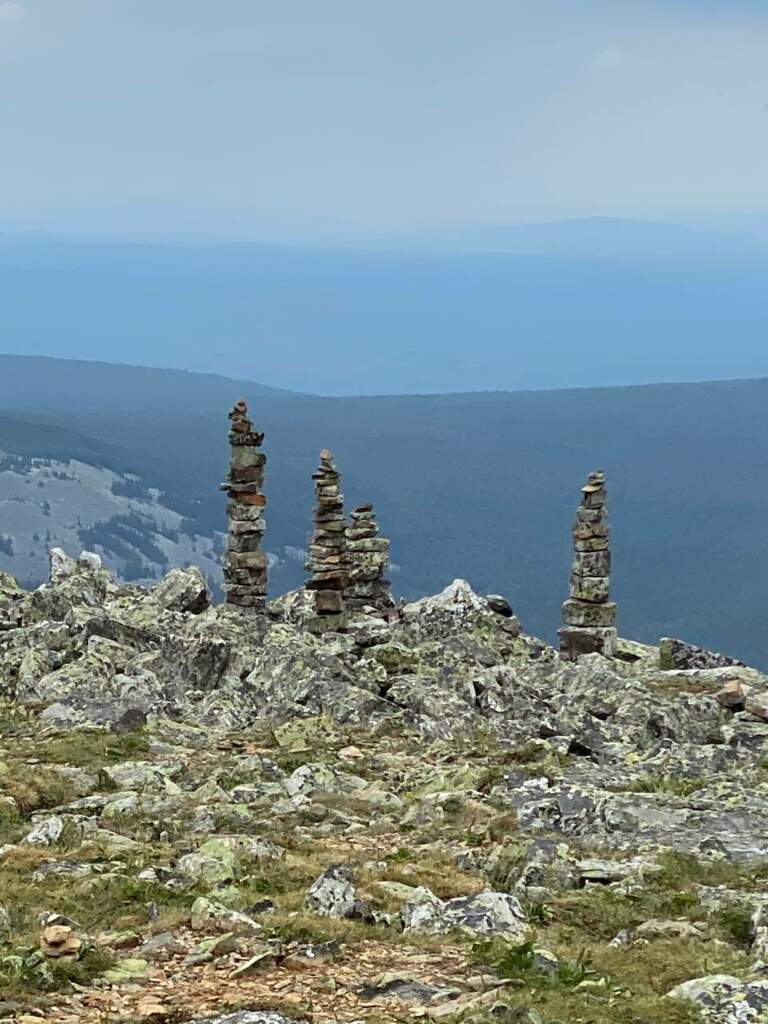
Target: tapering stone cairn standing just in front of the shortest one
point(328, 558)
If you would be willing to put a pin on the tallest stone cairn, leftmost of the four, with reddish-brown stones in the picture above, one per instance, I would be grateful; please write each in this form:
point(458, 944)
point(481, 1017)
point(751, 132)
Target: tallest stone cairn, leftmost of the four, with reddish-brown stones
point(245, 566)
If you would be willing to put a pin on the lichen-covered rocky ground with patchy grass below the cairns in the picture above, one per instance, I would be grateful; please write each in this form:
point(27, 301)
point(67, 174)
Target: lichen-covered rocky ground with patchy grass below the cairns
point(207, 816)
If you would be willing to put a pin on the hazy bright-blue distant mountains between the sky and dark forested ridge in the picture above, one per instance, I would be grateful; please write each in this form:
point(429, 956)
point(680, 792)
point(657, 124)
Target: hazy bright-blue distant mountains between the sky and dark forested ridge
point(584, 305)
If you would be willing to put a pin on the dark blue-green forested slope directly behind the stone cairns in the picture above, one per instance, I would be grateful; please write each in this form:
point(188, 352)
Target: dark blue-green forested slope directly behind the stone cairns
point(484, 487)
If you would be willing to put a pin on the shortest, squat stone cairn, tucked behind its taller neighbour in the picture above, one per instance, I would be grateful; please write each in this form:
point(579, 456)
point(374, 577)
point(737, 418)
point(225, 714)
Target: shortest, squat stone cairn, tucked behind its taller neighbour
point(368, 559)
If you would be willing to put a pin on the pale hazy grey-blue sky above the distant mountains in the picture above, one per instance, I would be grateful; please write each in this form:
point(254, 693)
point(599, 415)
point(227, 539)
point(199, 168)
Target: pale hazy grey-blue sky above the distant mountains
point(247, 118)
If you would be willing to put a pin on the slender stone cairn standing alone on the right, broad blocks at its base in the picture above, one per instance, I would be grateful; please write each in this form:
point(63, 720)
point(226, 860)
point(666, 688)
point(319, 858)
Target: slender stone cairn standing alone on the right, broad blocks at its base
point(589, 615)
